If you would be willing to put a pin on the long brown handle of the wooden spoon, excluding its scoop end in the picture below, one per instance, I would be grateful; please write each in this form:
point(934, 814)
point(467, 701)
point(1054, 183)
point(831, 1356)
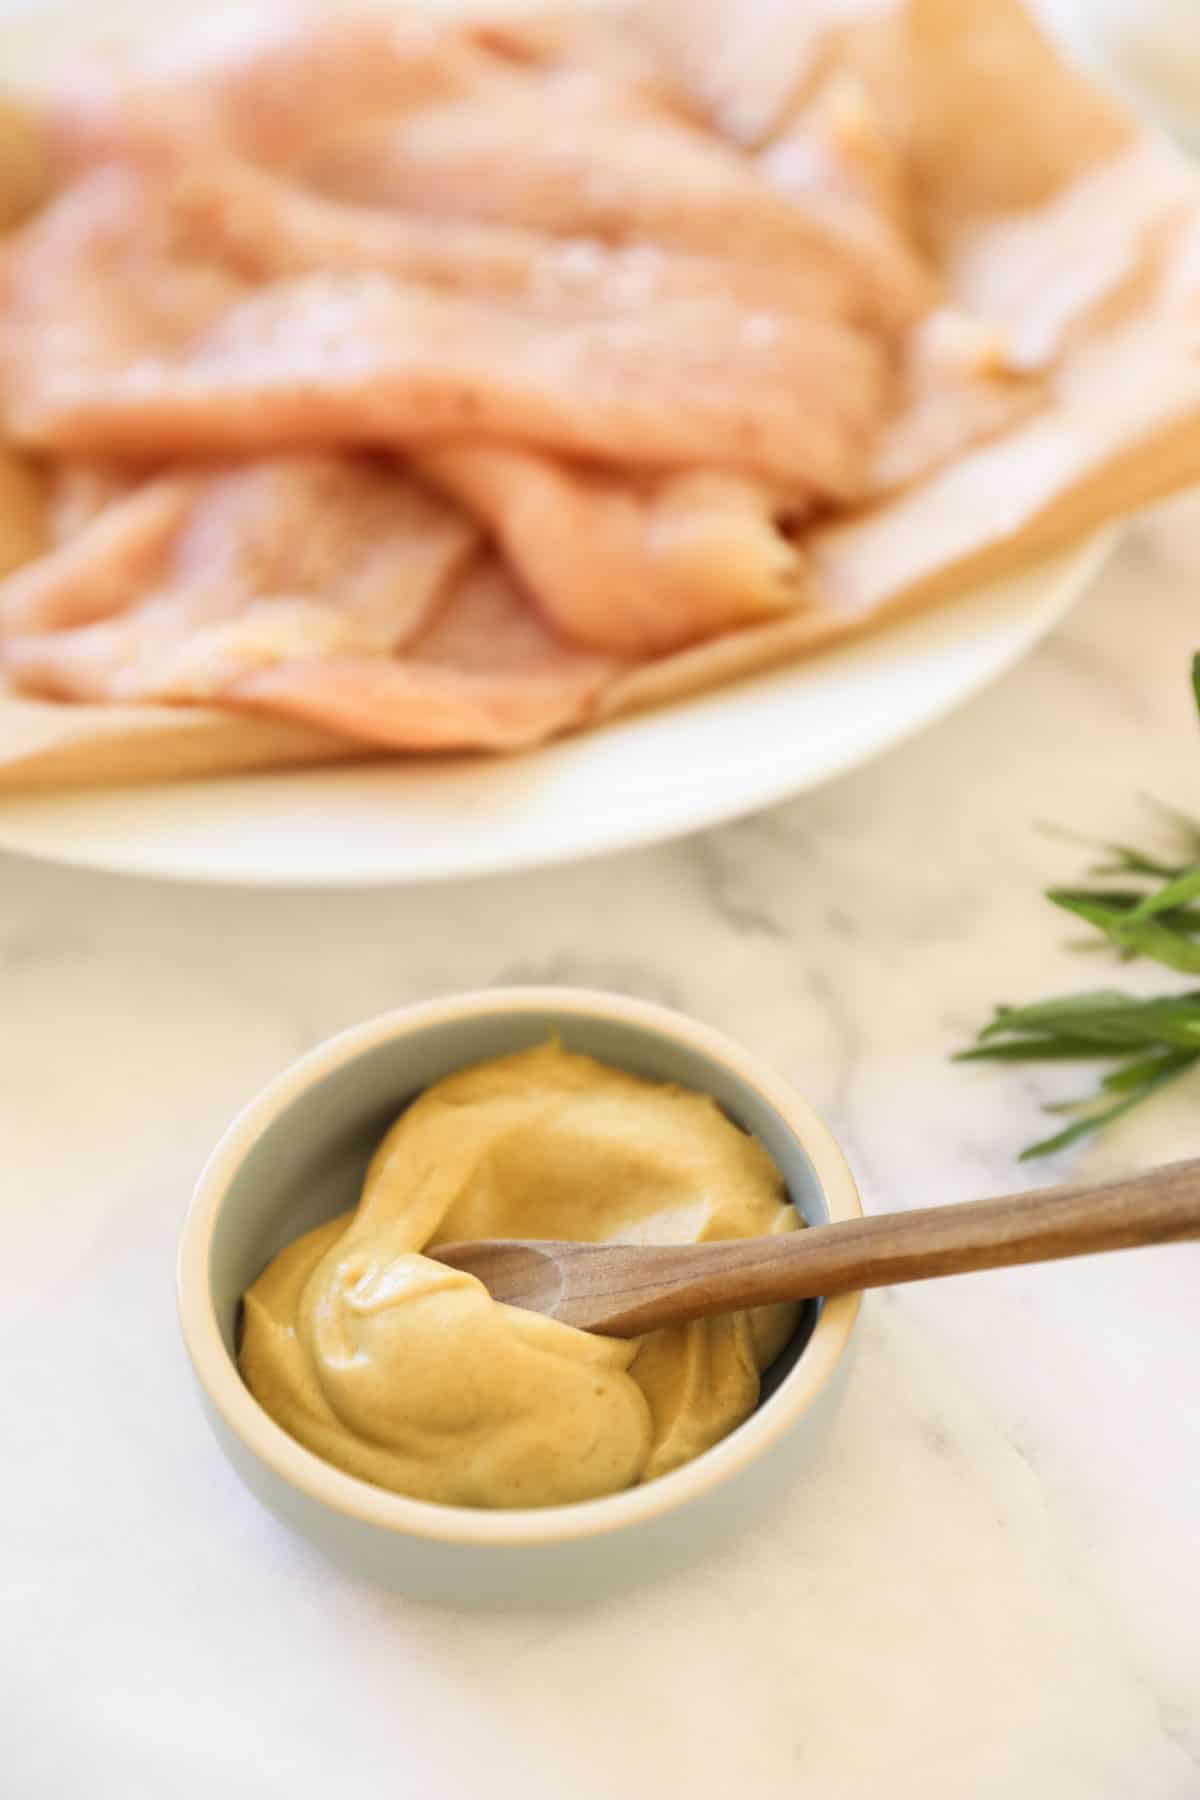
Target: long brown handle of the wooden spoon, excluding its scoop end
point(1160, 1207)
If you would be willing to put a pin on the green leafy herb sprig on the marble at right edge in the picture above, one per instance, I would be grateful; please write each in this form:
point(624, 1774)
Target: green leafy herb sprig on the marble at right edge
point(1156, 915)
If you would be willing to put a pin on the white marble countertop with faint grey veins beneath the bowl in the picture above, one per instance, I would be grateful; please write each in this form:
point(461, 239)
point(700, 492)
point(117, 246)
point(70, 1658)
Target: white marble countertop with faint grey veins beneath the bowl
point(990, 1587)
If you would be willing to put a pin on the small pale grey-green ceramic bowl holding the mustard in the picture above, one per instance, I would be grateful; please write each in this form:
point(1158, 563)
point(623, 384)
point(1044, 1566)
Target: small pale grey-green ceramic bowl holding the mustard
point(298, 1155)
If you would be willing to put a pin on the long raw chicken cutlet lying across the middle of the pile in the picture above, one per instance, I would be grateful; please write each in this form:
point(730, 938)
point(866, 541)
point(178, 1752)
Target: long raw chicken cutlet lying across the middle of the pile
point(120, 341)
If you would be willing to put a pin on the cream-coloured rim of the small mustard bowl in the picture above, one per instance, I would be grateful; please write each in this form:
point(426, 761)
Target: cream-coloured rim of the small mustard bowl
point(368, 1504)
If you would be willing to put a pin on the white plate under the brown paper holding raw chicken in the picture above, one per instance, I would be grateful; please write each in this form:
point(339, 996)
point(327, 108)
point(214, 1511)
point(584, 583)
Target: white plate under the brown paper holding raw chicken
point(634, 782)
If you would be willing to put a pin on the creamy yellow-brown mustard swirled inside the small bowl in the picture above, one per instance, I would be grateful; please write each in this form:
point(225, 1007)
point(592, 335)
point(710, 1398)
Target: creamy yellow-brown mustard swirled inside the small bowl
point(409, 1374)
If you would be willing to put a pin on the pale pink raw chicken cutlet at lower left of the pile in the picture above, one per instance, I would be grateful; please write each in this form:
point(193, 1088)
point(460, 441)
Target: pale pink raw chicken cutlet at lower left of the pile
point(328, 589)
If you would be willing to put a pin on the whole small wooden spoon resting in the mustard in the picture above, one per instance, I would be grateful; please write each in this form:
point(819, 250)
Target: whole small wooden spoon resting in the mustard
point(627, 1290)
